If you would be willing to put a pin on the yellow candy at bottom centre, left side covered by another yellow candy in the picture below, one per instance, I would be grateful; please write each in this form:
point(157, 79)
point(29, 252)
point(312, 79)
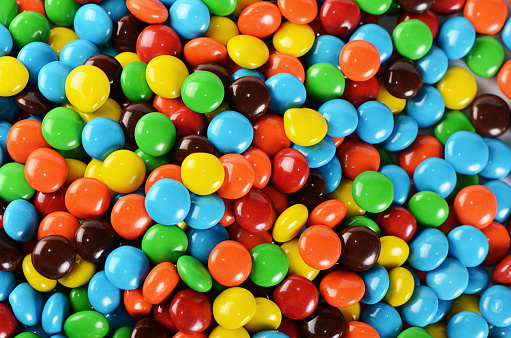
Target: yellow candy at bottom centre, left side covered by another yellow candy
point(268, 316)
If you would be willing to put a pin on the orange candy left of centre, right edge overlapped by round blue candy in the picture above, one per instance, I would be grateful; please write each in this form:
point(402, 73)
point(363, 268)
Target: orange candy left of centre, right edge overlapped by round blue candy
point(129, 217)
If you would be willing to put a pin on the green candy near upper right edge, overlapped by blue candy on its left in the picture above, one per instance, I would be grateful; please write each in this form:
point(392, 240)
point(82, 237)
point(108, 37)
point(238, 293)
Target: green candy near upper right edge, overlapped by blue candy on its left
point(486, 56)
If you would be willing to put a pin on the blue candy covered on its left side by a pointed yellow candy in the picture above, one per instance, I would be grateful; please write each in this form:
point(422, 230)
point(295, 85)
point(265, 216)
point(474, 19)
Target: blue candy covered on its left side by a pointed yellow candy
point(341, 117)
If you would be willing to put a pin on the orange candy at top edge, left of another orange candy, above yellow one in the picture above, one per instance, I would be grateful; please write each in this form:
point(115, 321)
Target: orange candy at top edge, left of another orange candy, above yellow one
point(260, 19)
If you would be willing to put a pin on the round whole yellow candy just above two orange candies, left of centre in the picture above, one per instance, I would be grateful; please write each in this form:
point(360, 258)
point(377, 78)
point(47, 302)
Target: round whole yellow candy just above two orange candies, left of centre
point(123, 171)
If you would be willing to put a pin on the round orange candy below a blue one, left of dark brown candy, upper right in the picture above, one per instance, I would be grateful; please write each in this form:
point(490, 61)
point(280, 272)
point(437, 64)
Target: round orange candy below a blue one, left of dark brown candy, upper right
point(359, 60)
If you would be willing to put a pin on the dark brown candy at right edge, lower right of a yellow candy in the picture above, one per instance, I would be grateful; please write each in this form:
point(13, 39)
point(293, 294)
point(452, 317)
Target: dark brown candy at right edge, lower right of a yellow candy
point(490, 115)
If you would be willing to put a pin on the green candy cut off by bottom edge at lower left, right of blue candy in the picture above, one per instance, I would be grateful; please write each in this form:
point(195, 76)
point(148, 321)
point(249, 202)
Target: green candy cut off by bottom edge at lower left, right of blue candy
point(86, 324)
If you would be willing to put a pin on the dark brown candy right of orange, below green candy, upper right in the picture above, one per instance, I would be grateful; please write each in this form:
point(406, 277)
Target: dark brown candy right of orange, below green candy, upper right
point(402, 79)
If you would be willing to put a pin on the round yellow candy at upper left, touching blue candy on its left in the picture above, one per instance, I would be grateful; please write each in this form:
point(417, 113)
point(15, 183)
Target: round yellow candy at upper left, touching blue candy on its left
point(87, 88)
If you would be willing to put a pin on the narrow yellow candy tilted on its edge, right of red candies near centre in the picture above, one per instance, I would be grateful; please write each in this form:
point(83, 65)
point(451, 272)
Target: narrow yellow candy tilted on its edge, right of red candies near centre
point(290, 222)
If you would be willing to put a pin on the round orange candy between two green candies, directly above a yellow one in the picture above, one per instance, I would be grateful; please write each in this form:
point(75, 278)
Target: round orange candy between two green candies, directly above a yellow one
point(230, 263)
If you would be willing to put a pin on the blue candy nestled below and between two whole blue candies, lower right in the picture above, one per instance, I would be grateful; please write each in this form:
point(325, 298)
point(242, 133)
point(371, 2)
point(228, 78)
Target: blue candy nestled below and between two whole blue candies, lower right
point(449, 280)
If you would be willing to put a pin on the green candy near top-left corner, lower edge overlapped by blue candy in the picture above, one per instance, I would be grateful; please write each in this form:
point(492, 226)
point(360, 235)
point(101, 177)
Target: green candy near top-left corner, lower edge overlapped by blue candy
point(28, 27)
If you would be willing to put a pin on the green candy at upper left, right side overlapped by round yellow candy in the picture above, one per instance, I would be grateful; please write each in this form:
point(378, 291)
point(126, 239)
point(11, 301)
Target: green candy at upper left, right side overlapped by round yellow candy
point(134, 83)
